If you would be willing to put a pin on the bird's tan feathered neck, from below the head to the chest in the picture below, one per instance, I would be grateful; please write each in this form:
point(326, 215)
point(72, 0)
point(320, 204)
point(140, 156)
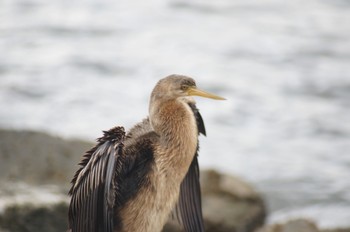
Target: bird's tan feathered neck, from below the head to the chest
point(174, 122)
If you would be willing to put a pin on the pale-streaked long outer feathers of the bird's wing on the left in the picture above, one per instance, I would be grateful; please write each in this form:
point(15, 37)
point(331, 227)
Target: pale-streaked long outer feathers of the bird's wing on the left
point(93, 188)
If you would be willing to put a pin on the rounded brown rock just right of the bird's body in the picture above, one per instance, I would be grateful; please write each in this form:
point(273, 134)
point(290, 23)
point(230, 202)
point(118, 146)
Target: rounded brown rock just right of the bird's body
point(229, 204)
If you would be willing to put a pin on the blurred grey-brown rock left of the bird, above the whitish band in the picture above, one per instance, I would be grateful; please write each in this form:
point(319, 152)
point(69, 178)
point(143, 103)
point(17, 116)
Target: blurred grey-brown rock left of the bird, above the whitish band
point(38, 158)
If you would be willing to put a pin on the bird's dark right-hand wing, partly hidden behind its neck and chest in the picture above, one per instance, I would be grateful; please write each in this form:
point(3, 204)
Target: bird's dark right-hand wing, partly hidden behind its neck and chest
point(189, 207)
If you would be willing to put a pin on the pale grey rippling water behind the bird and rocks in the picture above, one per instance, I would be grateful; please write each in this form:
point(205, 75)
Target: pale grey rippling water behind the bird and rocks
point(74, 68)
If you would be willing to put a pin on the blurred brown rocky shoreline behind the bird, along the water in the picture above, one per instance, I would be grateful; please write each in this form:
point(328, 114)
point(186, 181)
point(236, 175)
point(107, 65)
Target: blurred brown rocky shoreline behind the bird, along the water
point(36, 168)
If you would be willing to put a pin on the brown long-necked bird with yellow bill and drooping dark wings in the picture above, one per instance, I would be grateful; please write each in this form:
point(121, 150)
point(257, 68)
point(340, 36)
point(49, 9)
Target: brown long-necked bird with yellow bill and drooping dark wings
point(134, 181)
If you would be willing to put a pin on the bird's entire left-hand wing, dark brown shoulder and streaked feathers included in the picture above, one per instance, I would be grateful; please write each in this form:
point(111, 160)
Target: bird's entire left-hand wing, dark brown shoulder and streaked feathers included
point(110, 175)
